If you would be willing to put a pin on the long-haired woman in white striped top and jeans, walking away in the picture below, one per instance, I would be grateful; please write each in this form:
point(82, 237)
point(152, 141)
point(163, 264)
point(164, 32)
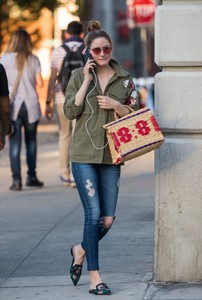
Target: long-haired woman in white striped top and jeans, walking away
point(20, 63)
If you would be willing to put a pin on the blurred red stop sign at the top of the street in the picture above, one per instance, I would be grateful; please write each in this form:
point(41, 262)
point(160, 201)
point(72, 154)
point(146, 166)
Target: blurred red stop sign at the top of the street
point(141, 12)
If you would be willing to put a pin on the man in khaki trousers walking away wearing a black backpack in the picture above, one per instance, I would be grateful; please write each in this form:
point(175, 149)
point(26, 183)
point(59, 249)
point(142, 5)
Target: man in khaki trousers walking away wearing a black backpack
point(55, 96)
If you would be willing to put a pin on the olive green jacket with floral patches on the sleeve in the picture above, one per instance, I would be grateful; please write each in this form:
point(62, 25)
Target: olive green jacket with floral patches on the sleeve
point(89, 138)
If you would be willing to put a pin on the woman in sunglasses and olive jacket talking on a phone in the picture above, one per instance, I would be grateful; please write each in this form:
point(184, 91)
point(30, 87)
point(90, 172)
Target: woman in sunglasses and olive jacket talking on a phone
point(93, 95)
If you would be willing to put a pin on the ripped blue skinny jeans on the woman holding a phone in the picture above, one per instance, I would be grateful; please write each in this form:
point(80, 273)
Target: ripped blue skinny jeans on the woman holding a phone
point(98, 187)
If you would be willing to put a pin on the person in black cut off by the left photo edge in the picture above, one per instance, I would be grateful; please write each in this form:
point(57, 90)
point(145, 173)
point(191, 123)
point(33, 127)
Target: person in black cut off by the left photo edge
point(4, 107)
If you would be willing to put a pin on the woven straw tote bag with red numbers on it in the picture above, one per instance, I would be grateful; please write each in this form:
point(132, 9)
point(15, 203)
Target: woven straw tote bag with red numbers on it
point(133, 135)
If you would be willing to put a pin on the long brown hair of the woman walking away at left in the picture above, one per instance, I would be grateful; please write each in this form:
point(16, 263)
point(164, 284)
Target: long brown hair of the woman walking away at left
point(22, 45)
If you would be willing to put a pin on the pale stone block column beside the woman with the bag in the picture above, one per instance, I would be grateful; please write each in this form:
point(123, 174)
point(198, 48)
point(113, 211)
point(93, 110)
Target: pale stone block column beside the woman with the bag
point(178, 163)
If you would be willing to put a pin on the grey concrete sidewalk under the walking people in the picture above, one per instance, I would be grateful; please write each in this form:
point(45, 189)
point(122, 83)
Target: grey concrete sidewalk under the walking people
point(38, 227)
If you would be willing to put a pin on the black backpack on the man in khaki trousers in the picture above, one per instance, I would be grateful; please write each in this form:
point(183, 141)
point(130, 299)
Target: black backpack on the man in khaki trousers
point(73, 59)
